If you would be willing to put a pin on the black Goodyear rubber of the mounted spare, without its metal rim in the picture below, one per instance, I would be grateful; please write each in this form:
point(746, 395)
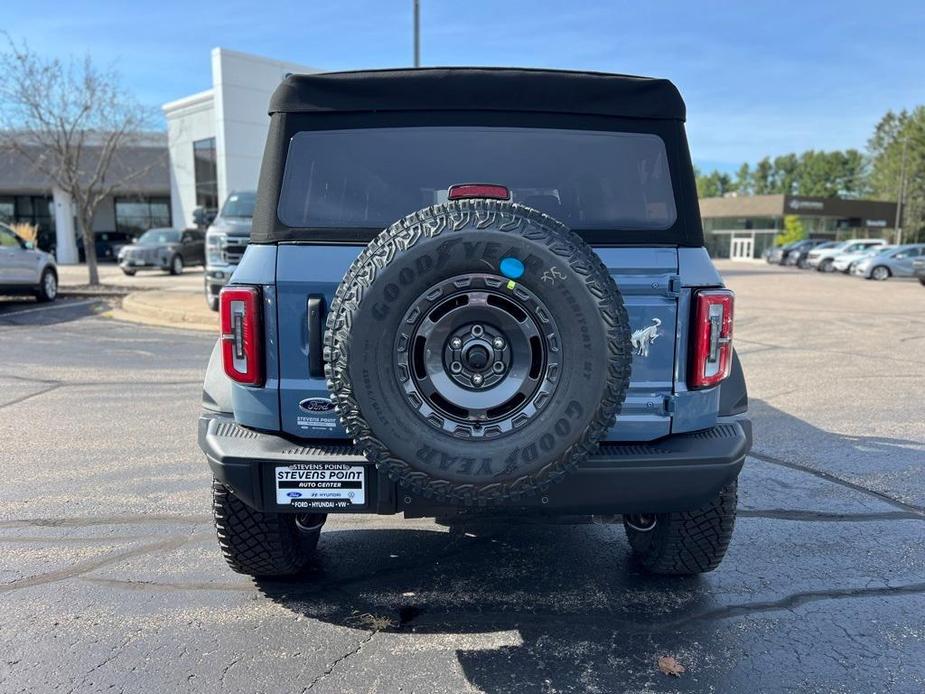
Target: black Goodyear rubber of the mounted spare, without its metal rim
point(508, 477)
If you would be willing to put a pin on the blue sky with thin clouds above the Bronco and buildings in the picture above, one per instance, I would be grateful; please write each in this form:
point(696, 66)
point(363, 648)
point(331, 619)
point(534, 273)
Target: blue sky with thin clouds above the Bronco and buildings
point(758, 77)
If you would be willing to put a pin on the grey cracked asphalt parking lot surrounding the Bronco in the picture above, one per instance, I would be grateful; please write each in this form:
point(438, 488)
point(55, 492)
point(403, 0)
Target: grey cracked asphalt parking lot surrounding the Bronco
point(111, 579)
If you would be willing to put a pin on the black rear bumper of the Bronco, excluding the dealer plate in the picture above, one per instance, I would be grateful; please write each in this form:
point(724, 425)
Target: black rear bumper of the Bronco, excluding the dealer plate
point(676, 473)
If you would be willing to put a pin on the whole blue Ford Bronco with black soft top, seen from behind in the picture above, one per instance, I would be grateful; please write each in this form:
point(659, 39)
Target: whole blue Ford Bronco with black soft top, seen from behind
point(475, 291)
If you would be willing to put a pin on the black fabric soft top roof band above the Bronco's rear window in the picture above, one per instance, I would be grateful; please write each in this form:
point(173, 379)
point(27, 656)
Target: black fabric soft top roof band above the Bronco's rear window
point(480, 89)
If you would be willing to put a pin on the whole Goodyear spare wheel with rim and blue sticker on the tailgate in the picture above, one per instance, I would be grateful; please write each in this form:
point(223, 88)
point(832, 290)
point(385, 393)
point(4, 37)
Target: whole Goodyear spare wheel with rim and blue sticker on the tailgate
point(477, 351)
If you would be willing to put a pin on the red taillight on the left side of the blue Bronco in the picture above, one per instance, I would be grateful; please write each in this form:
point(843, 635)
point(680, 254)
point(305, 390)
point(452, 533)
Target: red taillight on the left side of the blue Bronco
point(242, 352)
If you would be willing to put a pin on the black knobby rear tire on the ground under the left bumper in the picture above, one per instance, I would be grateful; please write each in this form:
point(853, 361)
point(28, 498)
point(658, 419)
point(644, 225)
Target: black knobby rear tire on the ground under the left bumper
point(260, 544)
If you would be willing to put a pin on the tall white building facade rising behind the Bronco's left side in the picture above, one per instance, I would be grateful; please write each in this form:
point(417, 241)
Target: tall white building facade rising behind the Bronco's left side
point(216, 137)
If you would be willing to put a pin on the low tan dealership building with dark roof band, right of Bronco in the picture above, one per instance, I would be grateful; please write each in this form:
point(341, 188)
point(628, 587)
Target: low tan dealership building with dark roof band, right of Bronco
point(741, 228)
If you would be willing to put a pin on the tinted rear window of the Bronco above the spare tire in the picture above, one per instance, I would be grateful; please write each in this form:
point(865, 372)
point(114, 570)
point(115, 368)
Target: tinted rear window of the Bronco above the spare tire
point(373, 177)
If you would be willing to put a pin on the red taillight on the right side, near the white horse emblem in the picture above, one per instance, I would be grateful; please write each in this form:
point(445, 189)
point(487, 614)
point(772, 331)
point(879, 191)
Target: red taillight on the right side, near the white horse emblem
point(711, 350)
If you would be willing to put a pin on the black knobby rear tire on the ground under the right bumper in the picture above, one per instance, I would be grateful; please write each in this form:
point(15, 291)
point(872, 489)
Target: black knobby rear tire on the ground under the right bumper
point(688, 542)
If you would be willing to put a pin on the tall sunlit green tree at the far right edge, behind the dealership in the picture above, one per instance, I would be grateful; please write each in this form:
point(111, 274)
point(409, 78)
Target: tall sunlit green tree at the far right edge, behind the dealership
point(885, 149)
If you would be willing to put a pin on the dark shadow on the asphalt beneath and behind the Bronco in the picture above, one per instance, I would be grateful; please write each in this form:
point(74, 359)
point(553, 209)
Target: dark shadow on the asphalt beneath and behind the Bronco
point(570, 609)
